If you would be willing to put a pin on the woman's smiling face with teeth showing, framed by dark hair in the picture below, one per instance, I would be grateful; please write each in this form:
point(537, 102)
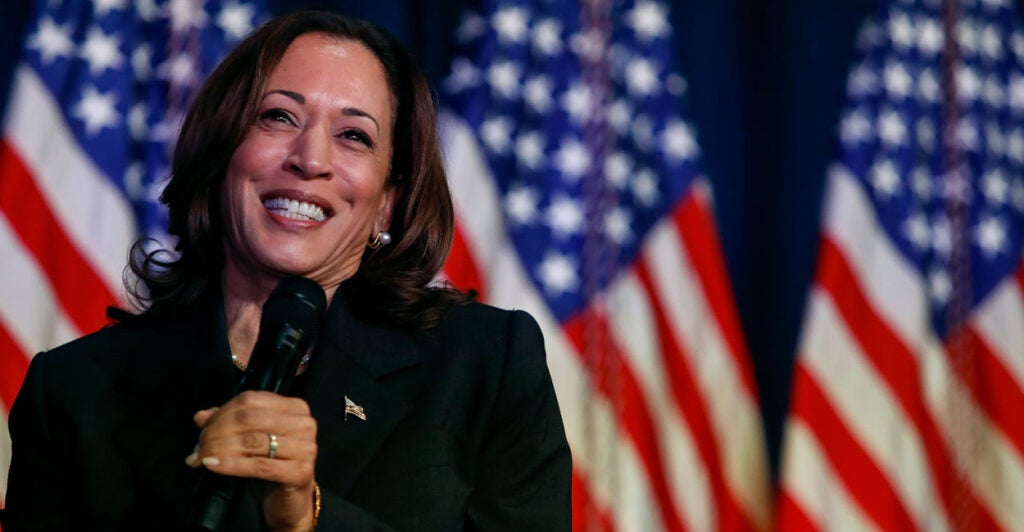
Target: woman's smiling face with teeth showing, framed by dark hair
point(307, 188)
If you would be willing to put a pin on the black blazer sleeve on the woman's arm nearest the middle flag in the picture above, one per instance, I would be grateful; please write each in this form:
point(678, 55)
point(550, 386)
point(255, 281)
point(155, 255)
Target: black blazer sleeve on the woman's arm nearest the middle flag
point(525, 475)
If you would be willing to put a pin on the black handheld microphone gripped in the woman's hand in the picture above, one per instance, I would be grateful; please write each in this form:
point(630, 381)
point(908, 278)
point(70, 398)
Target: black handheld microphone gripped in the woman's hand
point(292, 319)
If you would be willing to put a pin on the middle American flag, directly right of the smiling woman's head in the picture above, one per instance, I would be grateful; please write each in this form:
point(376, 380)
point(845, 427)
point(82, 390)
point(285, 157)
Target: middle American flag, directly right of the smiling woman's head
point(579, 198)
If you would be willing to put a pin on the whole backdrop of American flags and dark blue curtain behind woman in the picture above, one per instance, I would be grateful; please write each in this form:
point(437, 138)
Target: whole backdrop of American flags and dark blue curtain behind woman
point(647, 180)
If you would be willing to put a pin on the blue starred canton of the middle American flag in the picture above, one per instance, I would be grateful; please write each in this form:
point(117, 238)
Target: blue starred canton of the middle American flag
point(577, 109)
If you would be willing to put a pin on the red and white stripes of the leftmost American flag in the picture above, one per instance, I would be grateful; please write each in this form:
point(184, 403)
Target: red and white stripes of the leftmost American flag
point(65, 233)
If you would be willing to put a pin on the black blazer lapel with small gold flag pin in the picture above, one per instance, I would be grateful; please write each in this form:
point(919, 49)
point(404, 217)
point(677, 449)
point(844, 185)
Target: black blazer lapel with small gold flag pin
point(376, 370)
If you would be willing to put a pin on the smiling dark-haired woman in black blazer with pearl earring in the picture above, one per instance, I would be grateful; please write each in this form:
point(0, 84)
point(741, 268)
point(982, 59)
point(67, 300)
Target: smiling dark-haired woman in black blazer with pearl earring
point(311, 152)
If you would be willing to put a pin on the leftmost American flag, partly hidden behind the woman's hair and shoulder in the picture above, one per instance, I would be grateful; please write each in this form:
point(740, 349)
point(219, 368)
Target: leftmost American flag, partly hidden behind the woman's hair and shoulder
point(97, 103)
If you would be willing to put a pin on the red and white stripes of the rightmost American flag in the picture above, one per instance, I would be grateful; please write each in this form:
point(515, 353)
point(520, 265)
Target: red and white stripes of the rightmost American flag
point(887, 431)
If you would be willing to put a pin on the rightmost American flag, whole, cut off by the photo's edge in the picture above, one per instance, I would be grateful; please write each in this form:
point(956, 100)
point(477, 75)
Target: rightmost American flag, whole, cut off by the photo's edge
point(906, 408)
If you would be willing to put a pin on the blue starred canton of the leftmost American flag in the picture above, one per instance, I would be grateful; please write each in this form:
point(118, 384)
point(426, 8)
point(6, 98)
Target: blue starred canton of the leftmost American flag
point(123, 73)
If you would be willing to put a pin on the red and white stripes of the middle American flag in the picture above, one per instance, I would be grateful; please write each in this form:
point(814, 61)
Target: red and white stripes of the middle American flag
point(665, 429)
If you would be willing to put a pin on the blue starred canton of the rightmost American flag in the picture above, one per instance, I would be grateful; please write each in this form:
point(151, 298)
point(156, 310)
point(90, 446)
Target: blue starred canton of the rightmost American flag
point(892, 141)
